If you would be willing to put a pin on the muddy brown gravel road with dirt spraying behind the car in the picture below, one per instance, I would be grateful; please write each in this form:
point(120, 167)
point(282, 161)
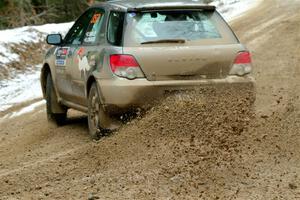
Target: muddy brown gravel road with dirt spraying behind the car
point(204, 145)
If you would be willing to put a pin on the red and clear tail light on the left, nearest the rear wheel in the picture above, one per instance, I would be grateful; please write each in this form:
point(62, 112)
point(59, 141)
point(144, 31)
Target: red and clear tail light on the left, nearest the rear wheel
point(125, 66)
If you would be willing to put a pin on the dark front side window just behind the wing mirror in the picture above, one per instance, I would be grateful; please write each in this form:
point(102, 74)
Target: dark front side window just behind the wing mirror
point(76, 33)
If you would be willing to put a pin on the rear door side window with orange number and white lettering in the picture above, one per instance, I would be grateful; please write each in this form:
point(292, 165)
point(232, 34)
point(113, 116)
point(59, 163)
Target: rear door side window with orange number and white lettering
point(92, 34)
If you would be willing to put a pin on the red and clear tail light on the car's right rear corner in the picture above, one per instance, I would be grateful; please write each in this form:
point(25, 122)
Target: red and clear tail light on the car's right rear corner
point(242, 64)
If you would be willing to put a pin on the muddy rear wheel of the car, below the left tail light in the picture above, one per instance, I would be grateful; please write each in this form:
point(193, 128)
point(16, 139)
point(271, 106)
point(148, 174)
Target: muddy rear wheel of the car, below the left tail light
point(95, 113)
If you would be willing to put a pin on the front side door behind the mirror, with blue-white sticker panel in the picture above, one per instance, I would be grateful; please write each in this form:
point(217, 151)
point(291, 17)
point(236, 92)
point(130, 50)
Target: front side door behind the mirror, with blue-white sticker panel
point(65, 53)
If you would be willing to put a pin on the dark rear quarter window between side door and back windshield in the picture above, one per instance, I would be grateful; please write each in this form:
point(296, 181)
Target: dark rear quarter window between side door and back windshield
point(115, 28)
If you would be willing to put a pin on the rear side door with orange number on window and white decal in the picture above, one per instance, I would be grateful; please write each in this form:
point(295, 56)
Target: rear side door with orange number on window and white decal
point(85, 57)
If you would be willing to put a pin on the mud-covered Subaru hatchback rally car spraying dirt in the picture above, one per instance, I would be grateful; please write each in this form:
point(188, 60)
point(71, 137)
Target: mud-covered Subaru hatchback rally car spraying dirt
point(124, 54)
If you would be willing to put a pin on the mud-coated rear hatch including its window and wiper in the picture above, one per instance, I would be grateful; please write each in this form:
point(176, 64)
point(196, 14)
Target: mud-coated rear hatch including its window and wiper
point(180, 44)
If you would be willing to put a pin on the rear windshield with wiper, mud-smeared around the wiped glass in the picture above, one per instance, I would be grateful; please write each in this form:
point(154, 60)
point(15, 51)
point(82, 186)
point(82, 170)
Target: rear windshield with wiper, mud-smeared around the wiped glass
point(190, 25)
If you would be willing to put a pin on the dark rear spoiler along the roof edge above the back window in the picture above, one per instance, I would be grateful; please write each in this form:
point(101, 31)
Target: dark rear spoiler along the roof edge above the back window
point(173, 7)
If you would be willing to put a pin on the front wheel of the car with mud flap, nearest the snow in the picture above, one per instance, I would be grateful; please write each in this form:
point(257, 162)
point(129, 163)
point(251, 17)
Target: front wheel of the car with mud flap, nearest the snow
point(56, 113)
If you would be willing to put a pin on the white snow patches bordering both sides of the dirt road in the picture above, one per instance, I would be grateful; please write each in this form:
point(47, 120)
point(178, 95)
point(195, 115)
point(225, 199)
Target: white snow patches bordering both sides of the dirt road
point(26, 87)
